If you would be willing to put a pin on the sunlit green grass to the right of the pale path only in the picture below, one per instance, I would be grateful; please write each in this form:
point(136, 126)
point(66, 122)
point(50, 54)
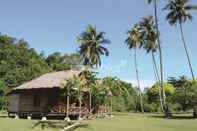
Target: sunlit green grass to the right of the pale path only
point(136, 122)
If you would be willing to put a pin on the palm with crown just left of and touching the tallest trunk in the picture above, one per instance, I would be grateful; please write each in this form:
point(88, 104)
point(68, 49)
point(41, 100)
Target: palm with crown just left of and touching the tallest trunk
point(150, 44)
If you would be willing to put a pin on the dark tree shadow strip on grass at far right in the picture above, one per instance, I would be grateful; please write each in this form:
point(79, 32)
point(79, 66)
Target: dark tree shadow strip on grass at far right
point(175, 117)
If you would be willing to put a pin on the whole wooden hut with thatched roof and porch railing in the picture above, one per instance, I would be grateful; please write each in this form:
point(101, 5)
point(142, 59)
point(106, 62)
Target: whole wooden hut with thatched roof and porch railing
point(42, 96)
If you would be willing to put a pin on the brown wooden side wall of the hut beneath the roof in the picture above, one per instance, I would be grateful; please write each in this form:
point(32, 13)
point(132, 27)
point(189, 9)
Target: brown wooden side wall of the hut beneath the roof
point(25, 101)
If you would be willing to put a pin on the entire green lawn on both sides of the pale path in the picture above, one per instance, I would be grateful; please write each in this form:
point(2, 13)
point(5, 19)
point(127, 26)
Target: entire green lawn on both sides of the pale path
point(123, 122)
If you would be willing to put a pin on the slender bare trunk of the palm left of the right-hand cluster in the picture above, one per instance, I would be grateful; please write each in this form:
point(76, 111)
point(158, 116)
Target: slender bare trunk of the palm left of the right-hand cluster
point(138, 82)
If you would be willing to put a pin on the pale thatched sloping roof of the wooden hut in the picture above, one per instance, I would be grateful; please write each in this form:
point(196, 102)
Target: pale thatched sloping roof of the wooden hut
point(49, 80)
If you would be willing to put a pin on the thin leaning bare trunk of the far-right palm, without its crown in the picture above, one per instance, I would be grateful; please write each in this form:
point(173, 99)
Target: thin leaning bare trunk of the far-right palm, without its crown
point(186, 50)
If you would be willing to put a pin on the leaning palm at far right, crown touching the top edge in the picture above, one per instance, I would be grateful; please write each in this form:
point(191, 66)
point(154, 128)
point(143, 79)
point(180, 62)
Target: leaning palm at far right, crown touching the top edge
point(179, 13)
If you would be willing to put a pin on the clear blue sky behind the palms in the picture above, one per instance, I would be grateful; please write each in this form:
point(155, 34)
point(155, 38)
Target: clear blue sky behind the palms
point(53, 25)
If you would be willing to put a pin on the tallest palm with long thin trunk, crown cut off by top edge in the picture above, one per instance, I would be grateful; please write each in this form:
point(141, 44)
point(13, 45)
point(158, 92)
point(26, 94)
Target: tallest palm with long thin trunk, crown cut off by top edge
point(160, 53)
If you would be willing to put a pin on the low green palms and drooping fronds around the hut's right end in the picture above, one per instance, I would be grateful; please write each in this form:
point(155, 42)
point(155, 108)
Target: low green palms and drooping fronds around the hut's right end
point(103, 91)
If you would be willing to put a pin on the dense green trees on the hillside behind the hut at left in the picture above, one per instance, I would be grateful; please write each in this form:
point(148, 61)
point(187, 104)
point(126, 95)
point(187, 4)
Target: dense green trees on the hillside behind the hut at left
point(20, 63)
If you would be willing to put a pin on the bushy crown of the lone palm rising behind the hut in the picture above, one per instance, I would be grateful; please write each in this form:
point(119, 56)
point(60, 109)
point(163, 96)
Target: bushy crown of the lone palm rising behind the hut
point(92, 46)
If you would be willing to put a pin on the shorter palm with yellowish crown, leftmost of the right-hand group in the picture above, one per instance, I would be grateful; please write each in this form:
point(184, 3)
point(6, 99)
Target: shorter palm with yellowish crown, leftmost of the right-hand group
point(134, 41)
